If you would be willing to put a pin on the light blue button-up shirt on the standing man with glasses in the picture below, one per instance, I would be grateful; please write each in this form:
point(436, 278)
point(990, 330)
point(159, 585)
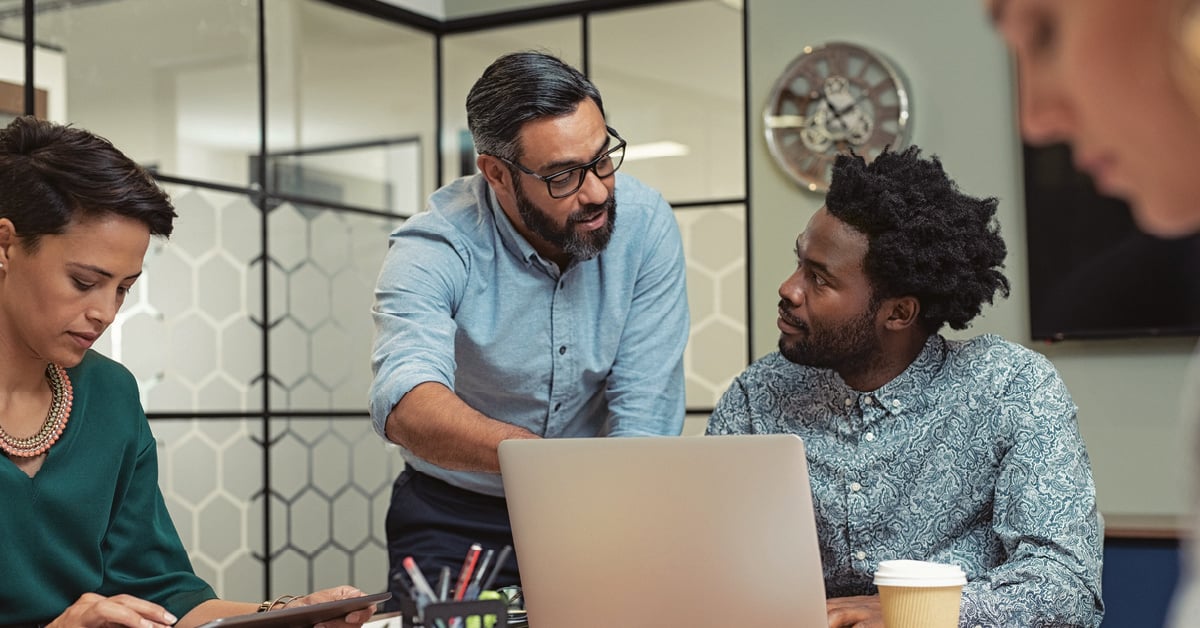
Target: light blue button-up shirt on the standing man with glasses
point(465, 301)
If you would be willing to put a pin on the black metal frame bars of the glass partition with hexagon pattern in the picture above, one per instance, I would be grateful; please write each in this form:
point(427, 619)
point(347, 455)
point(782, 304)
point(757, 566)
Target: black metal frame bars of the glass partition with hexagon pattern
point(263, 199)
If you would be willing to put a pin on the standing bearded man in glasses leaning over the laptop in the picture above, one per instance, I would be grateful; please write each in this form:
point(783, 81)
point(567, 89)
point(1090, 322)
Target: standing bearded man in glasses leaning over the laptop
point(520, 307)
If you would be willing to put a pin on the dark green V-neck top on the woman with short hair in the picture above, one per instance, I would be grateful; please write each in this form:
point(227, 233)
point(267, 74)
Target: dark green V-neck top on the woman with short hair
point(93, 518)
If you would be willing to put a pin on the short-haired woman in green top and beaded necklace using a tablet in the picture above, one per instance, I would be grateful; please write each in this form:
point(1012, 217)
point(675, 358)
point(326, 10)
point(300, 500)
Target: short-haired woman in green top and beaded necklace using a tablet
point(87, 536)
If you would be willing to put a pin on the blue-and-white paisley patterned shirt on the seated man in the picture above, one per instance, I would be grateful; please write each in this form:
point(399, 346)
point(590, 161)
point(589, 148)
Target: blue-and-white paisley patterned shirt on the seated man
point(970, 457)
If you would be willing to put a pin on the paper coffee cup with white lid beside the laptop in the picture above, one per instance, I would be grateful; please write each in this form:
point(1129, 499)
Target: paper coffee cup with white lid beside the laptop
point(920, 594)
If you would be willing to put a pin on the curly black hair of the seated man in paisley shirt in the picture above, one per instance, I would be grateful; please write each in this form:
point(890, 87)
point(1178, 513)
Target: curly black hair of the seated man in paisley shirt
point(927, 240)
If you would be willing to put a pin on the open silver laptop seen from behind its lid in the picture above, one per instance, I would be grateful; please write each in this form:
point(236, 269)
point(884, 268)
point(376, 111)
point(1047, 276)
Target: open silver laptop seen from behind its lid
point(691, 531)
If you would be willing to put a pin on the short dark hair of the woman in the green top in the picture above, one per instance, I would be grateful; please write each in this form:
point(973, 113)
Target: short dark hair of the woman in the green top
point(52, 175)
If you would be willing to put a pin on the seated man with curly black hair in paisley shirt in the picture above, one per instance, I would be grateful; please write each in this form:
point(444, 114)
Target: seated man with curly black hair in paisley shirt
point(961, 452)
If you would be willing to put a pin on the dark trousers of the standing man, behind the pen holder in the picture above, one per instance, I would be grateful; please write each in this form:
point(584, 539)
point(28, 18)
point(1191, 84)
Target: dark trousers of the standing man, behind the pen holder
point(436, 524)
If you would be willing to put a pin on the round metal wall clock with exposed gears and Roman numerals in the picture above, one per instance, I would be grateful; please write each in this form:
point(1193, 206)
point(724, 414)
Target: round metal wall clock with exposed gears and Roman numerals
point(835, 99)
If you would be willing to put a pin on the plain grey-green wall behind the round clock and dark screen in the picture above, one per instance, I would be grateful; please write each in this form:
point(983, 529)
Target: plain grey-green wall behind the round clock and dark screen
point(963, 103)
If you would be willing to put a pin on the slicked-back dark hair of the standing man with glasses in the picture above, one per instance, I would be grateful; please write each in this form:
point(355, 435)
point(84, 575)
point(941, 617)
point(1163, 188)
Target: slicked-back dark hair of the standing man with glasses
point(520, 88)
